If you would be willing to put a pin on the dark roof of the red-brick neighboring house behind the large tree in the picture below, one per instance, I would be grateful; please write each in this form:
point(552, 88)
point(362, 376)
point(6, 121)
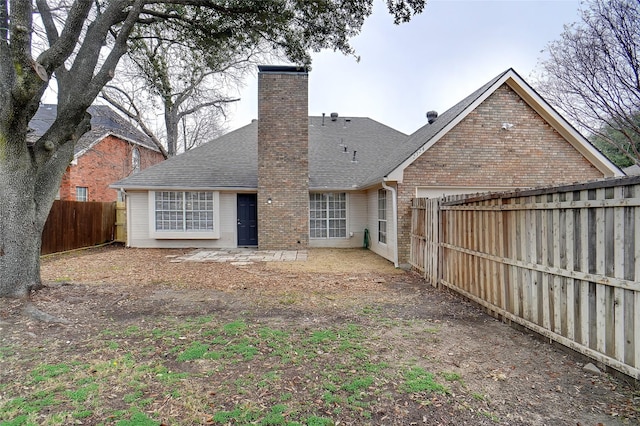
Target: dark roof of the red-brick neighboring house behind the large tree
point(104, 121)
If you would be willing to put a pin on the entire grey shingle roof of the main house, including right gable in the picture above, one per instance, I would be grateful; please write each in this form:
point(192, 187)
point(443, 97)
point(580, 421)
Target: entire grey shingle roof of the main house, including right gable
point(381, 153)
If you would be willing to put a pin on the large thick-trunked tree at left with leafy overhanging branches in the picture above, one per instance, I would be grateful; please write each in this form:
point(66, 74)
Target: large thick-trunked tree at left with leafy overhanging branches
point(83, 44)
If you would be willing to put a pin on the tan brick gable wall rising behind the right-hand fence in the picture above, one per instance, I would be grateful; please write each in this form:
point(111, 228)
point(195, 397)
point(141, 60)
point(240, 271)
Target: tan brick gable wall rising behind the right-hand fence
point(477, 152)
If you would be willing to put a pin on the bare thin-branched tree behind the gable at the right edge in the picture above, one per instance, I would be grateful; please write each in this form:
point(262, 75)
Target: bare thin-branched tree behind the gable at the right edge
point(593, 73)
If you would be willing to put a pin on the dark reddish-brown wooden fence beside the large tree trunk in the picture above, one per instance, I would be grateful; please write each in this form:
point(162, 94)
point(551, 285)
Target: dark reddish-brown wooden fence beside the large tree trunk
point(75, 224)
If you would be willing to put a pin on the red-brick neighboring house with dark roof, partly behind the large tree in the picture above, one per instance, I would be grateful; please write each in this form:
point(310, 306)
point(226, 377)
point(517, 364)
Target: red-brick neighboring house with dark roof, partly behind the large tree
point(111, 150)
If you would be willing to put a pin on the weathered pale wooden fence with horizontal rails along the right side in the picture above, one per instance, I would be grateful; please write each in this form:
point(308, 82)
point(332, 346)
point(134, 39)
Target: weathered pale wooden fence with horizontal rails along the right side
point(563, 261)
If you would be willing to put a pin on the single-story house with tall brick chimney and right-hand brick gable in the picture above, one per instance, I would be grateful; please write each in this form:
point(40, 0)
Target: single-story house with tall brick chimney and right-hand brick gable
point(292, 181)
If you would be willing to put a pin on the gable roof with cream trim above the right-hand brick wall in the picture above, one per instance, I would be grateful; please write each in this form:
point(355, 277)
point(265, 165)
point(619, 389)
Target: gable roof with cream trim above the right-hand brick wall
point(425, 137)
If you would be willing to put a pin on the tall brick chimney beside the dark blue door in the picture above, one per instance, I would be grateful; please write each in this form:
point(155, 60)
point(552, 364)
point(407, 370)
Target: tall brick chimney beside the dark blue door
point(283, 161)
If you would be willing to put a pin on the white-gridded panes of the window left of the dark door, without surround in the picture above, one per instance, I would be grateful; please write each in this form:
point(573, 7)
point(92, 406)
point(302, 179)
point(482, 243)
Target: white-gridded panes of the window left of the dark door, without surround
point(184, 211)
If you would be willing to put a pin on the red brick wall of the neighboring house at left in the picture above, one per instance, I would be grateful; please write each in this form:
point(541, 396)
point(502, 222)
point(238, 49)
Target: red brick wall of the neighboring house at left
point(106, 162)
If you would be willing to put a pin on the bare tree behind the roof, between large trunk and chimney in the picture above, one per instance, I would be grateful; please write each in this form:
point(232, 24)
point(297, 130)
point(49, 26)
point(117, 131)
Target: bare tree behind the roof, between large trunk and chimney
point(170, 77)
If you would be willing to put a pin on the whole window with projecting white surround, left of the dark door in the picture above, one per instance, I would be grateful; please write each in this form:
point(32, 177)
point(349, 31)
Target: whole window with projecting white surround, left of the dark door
point(185, 214)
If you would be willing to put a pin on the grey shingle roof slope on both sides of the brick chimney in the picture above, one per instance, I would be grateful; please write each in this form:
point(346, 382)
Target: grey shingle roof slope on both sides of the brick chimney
point(231, 161)
